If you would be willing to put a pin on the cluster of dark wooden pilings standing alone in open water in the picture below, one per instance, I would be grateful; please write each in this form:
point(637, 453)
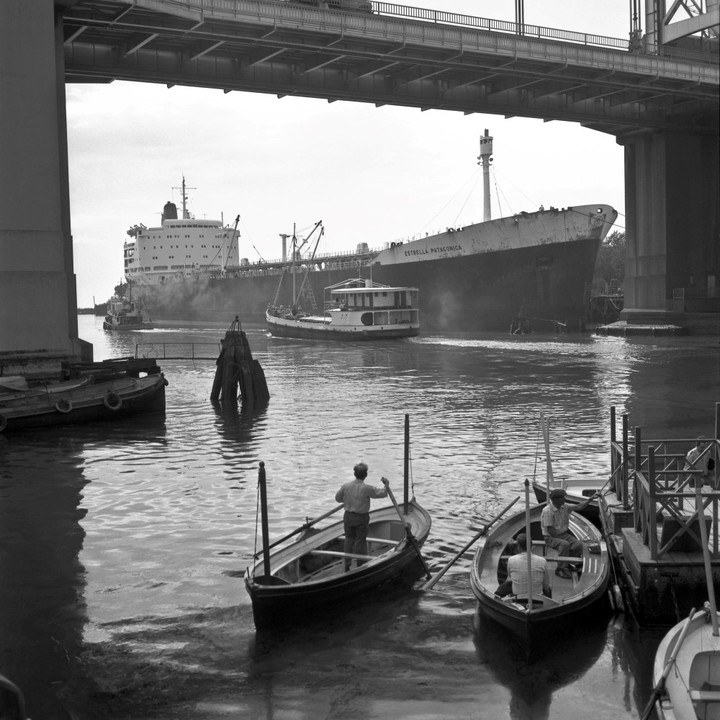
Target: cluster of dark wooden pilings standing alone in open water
point(236, 369)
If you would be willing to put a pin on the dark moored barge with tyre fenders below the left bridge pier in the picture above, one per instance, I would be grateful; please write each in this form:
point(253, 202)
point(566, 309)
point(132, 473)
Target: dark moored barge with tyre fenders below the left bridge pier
point(78, 402)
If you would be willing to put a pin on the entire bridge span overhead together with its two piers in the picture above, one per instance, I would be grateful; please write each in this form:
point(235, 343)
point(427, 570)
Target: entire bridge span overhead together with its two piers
point(663, 110)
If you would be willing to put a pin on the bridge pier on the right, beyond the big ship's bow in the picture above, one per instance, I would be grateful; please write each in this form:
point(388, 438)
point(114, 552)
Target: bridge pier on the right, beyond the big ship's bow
point(672, 266)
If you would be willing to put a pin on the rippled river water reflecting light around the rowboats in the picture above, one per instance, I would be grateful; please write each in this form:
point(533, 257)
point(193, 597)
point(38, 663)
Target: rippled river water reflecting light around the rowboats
point(123, 543)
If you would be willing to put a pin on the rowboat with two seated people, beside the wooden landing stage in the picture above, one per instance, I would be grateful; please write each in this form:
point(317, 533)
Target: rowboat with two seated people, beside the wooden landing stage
point(573, 600)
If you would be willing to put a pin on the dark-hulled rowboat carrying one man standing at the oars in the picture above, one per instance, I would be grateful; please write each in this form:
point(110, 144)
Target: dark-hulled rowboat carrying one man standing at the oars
point(307, 575)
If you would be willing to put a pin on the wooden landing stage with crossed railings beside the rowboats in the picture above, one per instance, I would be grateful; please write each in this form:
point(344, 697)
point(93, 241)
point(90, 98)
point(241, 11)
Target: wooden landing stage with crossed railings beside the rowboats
point(662, 519)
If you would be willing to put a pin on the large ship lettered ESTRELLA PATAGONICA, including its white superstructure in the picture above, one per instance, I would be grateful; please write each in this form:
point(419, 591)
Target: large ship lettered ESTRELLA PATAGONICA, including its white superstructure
point(531, 270)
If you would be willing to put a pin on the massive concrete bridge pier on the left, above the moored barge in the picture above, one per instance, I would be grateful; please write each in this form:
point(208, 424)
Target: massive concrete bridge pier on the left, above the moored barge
point(38, 303)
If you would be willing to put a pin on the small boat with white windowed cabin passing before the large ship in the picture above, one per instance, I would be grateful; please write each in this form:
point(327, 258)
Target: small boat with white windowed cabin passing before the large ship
point(357, 309)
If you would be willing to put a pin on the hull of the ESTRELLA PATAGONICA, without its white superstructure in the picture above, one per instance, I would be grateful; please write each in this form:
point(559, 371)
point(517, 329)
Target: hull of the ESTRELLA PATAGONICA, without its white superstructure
point(531, 271)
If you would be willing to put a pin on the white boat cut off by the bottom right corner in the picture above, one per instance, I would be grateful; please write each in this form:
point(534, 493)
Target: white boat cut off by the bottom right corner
point(687, 669)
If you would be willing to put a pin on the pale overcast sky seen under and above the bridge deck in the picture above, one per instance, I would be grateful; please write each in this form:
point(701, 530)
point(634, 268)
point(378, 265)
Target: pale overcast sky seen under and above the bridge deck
point(370, 174)
